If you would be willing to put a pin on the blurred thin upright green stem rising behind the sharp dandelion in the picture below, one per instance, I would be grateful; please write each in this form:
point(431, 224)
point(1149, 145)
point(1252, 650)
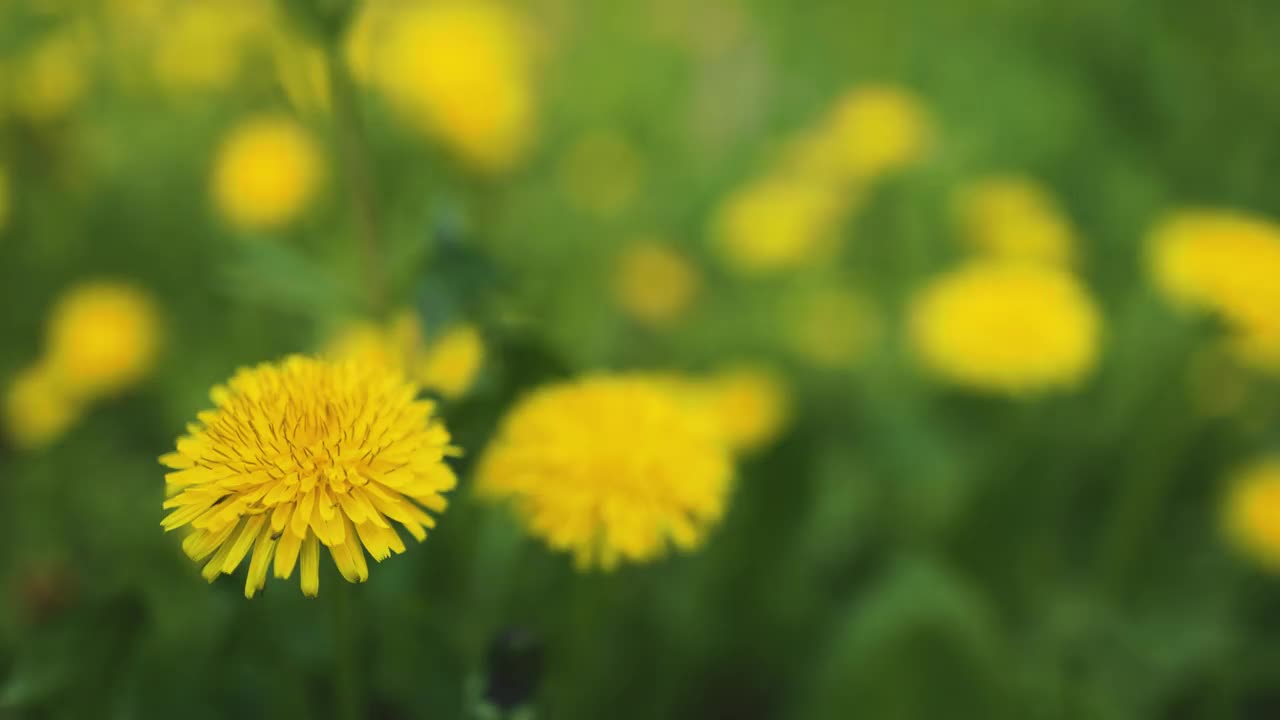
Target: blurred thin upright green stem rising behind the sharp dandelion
point(354, 148)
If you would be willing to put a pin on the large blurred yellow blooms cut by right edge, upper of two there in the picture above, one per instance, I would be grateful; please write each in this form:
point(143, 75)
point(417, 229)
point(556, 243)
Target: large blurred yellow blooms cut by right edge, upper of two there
point(1226, 263)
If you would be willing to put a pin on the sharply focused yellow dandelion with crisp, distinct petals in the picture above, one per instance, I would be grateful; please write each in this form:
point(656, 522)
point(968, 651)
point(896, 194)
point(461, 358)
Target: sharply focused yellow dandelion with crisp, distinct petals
point(301, 454)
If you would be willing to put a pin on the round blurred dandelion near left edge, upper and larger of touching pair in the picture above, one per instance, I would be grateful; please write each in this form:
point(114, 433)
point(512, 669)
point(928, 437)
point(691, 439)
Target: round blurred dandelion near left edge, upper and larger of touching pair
point(103, 338)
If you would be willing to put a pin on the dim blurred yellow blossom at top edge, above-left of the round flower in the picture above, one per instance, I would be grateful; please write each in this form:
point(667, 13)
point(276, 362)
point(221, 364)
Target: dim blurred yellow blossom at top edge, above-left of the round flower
point(204, 44)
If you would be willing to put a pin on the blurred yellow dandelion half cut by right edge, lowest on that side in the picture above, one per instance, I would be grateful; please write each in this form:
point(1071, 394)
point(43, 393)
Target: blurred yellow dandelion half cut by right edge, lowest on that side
point(1252, 512)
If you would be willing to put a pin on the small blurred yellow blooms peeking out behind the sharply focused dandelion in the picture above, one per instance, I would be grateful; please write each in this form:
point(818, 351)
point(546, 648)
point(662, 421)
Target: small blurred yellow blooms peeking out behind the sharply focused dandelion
point(449, 364)
